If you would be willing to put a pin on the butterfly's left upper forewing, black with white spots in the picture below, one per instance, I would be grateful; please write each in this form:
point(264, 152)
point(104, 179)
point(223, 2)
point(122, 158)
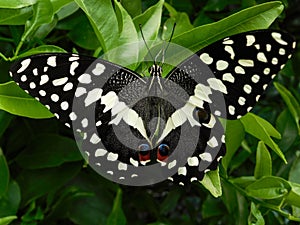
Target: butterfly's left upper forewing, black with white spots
point(55, 79)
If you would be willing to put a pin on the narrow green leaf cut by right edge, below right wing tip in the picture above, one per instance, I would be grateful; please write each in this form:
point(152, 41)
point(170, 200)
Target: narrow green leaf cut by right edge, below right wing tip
point(291, 102)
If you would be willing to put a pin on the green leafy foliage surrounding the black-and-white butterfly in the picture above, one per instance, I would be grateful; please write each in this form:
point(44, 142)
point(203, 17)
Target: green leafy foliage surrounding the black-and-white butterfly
point(43, 178)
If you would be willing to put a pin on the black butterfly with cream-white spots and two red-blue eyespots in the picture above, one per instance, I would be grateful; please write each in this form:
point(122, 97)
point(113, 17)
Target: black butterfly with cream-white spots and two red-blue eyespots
point(141, 130)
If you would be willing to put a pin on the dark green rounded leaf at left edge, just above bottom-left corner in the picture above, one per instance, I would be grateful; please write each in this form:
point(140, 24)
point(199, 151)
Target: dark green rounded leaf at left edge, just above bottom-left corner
point(9, 203)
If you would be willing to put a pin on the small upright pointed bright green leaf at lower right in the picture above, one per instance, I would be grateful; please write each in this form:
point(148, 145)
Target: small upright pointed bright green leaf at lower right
point(263, 166)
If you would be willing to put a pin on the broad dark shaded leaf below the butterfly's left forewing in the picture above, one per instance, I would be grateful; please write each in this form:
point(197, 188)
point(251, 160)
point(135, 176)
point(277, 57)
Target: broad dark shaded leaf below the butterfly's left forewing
point(48, 150)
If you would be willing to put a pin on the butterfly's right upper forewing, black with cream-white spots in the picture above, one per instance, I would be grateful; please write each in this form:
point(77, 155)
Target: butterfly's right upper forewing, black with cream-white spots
point(242, 65)
